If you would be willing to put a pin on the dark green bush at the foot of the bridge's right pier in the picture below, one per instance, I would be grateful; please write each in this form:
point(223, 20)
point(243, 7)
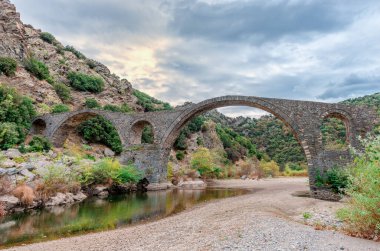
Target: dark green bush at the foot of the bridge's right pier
point(335, 178)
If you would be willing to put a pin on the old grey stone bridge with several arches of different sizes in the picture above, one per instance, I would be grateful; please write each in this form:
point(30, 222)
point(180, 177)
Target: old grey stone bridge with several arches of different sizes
point(303, 117)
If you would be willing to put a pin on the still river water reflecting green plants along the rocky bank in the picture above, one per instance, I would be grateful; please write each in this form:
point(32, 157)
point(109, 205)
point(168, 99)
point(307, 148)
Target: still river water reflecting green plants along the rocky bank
point(102, 214)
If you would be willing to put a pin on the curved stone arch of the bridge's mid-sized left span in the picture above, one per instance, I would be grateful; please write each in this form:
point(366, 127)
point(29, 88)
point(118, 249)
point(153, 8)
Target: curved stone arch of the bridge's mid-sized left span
point(72, 120)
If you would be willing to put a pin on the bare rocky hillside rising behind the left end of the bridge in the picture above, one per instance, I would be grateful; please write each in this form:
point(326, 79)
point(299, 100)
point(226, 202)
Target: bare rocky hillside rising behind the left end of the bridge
point(18, 40)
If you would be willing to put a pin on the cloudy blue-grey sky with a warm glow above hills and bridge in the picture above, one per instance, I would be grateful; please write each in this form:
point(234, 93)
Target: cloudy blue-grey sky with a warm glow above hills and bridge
point(191, 50)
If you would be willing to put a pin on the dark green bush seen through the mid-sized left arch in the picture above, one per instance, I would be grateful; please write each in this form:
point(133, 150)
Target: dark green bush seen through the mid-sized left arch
point(100, 130)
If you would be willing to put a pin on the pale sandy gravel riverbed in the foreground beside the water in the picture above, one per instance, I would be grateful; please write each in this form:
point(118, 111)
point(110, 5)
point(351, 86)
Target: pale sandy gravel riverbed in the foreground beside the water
point(259, 221)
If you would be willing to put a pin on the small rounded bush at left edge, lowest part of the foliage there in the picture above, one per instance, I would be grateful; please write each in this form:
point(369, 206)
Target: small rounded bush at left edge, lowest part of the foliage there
point(9, 135)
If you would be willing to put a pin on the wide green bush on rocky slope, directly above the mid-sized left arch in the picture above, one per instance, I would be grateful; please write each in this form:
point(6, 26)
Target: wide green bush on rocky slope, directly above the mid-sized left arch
point(83, 82)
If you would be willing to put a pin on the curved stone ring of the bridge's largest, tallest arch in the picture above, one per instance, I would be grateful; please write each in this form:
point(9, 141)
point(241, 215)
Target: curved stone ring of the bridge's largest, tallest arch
point(207, 105)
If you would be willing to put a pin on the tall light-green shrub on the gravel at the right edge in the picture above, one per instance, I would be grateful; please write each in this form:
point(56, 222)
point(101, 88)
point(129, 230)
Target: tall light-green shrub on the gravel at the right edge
point(361, 214)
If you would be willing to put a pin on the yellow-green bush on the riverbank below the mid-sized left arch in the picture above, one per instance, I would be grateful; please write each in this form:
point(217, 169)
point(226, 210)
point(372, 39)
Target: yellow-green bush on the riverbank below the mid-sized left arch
point(110, 170)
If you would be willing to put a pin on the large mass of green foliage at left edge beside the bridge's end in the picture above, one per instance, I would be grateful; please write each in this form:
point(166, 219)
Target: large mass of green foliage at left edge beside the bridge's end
point(16, 114)
